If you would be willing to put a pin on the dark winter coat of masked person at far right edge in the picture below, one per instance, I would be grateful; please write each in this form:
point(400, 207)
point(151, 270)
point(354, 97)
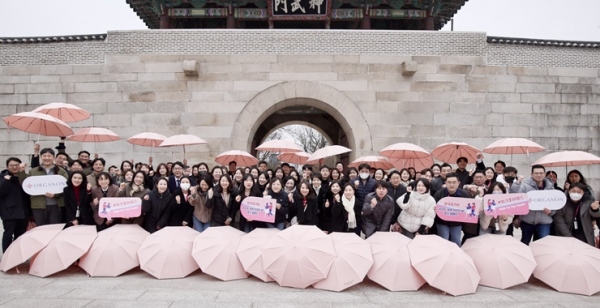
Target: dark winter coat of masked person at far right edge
point(564, 218)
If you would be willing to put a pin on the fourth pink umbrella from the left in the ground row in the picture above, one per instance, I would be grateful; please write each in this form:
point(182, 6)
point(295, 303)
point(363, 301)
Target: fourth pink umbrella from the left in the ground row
point(167, 253)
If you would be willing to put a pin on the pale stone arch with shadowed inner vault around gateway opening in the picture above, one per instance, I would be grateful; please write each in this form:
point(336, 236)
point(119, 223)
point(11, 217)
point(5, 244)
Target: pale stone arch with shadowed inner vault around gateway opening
point(259, 116)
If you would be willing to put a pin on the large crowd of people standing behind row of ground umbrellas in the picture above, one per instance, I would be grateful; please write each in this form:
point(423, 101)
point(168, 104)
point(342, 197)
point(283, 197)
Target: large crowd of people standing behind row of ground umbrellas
point(334, 198)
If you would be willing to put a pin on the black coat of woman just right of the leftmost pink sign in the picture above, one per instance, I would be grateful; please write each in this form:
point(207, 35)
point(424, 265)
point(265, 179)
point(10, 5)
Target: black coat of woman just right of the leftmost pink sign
point(157, 210)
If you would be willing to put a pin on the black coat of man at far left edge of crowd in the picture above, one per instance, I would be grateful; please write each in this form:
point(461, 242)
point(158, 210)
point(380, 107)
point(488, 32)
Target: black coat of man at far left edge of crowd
point(14, 202)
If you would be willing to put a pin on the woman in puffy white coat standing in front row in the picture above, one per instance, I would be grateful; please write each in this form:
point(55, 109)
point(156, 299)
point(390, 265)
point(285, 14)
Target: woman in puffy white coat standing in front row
point(418, 209)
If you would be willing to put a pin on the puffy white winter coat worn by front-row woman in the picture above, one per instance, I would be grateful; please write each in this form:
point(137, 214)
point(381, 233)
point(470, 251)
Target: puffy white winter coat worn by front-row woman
point(419, 210)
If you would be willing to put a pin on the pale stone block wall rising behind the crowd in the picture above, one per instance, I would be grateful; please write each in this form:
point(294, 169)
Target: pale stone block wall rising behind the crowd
point(454, 96)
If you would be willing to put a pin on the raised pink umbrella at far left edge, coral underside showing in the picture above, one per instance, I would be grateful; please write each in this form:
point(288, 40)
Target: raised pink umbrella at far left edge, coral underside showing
point(38, 123)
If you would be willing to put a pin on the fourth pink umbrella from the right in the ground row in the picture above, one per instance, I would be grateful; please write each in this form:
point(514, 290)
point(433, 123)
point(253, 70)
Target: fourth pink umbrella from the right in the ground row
point(392, 267)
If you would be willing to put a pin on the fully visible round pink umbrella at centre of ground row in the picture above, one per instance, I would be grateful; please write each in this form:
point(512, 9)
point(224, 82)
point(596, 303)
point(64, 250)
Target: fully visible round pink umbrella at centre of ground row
point(298, 256)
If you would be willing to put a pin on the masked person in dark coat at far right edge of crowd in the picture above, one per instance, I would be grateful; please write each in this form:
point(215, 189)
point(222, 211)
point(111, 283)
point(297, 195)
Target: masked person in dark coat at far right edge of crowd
point(575, 218)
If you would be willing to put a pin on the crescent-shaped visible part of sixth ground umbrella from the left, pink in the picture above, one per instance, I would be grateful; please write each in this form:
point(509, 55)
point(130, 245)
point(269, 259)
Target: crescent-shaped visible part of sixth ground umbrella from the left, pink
point(249, 252)
